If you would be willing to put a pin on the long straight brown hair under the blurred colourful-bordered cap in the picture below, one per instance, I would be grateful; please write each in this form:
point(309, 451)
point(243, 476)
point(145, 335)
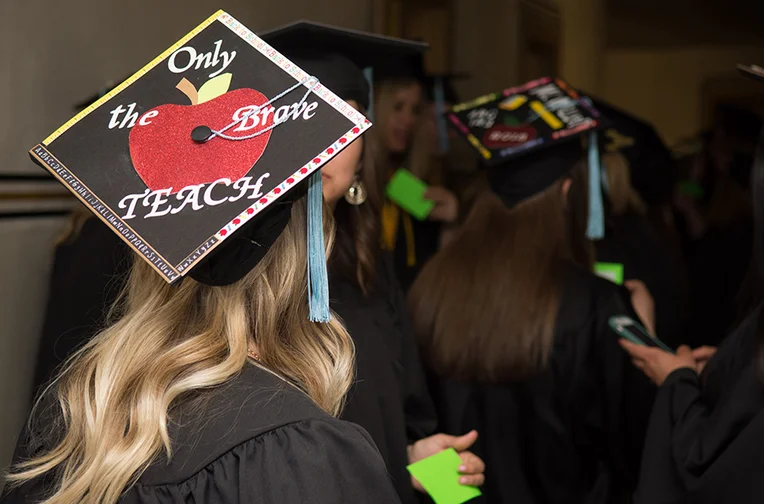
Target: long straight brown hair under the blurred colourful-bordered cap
point(485, 306)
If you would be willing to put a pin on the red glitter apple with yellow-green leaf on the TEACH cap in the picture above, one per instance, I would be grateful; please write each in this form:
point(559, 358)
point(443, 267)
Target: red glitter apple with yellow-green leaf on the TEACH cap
point(164, 154)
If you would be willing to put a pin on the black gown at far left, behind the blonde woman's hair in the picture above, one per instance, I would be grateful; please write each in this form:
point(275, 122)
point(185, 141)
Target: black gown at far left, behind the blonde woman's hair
point(87, 276)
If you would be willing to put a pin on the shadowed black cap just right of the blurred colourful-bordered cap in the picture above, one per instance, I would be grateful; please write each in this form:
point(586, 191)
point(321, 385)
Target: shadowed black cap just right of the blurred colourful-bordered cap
point(651, 162)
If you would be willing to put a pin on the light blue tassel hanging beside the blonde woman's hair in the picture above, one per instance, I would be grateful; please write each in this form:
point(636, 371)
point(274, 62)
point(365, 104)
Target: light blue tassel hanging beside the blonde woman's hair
point(318, 281)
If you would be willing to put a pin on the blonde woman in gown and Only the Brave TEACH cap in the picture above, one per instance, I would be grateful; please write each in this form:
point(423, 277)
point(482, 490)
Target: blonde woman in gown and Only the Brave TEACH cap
point(222, 378)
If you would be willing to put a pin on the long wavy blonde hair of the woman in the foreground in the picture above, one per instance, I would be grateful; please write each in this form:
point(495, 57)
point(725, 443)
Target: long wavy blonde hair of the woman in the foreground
point(171, 342)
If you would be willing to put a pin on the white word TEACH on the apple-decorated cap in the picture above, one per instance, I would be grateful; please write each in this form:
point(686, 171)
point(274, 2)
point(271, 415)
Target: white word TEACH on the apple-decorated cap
point(196, 197)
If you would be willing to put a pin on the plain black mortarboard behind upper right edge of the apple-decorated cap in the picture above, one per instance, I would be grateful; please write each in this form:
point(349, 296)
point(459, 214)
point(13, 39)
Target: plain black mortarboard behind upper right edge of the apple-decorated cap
point(338, 56)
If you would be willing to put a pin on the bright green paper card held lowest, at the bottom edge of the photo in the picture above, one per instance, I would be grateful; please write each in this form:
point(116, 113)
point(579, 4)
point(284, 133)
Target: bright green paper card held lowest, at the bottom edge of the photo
point(439, 475)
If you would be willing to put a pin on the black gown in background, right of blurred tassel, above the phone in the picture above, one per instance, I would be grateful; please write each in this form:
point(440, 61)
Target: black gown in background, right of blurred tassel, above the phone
point(632, 241)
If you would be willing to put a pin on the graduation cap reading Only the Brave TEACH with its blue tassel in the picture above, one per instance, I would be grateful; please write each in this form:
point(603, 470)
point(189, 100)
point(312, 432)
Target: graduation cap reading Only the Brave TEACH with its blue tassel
point(196, 159)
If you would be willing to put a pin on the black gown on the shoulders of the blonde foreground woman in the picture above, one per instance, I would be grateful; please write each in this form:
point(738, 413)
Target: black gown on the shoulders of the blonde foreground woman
point(257, 439)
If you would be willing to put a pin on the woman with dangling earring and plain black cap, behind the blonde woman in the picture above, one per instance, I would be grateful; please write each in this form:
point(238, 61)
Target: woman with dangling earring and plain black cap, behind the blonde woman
point(389, 397)
